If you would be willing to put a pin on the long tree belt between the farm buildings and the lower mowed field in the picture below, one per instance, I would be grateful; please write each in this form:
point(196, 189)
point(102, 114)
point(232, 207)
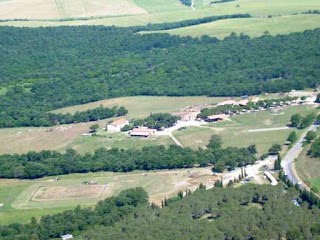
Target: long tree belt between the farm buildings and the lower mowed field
point(49, 163)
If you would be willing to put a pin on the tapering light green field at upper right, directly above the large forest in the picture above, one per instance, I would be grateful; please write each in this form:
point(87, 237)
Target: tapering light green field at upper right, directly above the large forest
point(253, 27)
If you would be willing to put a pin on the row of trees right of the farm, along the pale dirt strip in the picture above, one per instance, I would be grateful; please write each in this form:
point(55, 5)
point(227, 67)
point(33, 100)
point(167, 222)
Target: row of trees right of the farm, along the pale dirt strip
point(234, 109)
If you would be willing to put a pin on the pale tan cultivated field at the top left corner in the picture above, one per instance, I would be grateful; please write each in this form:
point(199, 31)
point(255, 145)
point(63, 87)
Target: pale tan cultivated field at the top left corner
point(60, 9)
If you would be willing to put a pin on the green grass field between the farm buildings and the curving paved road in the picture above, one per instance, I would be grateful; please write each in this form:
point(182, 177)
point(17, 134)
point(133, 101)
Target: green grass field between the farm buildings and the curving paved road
point(247, 129)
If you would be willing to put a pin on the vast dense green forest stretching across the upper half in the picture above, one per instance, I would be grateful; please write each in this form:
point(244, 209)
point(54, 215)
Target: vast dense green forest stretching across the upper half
point(47, 68)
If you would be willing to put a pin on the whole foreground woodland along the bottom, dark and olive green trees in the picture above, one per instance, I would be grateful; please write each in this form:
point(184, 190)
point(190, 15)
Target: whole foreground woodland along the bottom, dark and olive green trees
point(247, 212)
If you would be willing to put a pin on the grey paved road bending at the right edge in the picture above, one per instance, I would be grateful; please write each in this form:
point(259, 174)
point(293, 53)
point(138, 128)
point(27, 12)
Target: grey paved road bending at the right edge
point(287, 163)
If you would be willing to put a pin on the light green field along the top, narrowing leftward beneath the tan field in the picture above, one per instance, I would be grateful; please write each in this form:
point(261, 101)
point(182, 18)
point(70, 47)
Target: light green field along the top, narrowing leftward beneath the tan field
point(169, 11)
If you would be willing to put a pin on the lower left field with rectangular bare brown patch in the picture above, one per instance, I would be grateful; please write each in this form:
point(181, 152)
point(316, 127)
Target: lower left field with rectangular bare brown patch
point(26, 198)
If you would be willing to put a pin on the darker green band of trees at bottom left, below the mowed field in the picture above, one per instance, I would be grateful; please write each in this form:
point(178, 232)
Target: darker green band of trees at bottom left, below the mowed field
point(105, 213)
